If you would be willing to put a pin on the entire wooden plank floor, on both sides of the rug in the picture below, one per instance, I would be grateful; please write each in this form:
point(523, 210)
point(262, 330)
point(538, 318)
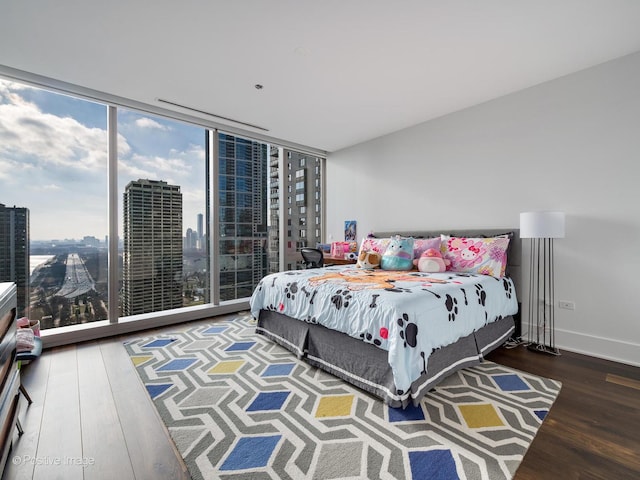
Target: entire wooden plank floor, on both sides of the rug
point(89, 407)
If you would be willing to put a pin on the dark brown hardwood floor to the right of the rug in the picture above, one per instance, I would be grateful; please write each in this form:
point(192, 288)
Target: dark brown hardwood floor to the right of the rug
point(593, 428)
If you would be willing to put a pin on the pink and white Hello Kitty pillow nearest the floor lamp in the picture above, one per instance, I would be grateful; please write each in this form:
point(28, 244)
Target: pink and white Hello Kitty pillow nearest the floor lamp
point(486, 256)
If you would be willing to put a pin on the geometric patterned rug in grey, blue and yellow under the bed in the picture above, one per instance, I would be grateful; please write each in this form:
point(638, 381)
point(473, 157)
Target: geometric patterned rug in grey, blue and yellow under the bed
point(239, 406)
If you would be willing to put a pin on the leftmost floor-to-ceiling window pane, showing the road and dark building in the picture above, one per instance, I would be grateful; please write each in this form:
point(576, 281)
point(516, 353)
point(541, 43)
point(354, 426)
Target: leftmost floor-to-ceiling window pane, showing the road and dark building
point(53, 164)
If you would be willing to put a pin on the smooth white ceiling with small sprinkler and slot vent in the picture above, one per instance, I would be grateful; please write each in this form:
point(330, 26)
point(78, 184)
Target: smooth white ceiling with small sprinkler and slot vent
point(334, 72)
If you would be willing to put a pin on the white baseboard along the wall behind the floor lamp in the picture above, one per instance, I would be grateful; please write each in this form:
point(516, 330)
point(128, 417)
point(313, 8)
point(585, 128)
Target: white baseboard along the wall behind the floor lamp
point(600, 347)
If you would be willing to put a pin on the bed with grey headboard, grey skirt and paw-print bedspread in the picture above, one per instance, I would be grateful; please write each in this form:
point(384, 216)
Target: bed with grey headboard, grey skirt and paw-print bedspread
point(393, 334)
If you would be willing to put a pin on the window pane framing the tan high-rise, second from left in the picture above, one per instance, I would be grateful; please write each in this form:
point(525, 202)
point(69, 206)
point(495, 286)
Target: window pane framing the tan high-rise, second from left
point(162, 182)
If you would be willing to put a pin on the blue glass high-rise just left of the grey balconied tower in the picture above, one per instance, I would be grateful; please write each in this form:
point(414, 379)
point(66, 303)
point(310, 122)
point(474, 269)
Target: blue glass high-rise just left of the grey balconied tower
point(243, 215)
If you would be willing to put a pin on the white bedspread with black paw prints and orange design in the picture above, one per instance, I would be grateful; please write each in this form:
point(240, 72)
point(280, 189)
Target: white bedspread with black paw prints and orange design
point(409, 314)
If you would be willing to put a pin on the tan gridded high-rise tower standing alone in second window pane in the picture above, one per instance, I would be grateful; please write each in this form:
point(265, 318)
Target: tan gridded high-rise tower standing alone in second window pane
point(152, 262)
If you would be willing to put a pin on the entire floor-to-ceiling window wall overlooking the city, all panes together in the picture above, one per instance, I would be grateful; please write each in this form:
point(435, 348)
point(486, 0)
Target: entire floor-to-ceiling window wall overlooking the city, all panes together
point(97, 236)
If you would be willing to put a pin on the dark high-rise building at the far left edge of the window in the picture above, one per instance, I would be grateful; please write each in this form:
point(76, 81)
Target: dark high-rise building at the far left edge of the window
point(14, 252)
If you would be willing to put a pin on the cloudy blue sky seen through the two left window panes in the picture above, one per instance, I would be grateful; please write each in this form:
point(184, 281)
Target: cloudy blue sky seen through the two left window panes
point(53, 160)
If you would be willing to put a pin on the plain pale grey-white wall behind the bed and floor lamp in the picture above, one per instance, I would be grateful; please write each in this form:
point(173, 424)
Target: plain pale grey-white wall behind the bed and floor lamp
point(572, 144)
